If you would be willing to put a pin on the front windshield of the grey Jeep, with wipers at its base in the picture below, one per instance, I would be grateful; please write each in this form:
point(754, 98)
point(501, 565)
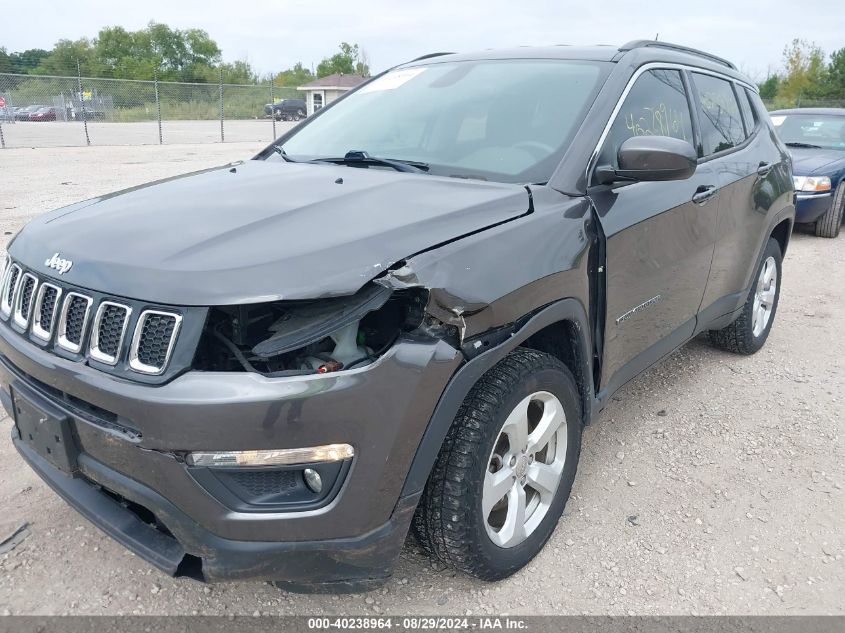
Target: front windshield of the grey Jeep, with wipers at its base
point(503, 120)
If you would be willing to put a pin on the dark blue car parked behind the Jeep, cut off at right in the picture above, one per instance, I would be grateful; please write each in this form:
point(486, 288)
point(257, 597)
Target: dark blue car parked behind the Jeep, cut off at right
point(816, 139)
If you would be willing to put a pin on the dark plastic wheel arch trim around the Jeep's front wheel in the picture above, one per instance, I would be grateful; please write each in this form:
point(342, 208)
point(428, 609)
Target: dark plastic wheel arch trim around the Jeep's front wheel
point(541, 331)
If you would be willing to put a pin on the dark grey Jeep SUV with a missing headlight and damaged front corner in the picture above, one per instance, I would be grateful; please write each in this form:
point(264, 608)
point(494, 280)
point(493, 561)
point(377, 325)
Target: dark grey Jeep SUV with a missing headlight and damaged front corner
point(276, 368)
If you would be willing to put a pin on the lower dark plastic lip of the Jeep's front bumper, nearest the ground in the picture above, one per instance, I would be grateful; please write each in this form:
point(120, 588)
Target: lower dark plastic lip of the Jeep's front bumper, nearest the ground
point(336, 565)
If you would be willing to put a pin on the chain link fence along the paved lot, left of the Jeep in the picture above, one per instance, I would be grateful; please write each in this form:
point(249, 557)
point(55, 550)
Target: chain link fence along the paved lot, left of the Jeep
point(53, 111)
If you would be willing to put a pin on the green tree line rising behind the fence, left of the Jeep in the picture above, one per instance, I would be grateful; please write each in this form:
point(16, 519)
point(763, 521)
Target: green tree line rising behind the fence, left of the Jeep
point(173, 54)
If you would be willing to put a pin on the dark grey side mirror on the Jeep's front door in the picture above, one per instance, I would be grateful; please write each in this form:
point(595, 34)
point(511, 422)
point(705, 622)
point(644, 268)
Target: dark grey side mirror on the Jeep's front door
point(651, 158)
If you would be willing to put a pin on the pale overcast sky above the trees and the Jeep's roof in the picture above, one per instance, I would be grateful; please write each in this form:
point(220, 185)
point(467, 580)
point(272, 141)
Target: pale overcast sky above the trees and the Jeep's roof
point(274, 34)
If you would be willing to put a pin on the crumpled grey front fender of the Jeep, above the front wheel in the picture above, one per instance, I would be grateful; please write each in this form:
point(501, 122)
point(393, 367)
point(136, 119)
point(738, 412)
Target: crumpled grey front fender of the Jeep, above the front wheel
point(496, 277)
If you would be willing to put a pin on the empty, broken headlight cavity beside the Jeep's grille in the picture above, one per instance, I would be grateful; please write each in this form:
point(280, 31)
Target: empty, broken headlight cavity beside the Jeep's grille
point(289, 338)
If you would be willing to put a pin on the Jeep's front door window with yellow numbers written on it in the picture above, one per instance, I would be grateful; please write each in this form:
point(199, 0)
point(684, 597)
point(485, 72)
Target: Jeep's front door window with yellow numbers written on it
point(656, 105)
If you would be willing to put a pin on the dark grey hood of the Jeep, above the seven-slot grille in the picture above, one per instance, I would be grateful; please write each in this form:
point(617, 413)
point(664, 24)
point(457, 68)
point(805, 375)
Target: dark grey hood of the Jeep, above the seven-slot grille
point(259, 231)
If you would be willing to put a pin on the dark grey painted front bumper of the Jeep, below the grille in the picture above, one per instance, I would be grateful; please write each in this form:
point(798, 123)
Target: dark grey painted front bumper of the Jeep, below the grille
point(382, 410)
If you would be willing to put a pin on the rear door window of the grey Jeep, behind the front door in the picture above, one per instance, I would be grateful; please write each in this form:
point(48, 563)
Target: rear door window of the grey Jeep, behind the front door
point(718, 113)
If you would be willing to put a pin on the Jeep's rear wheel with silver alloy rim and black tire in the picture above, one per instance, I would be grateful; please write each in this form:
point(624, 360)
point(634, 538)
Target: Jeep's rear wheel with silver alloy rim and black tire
point(749, 331)
